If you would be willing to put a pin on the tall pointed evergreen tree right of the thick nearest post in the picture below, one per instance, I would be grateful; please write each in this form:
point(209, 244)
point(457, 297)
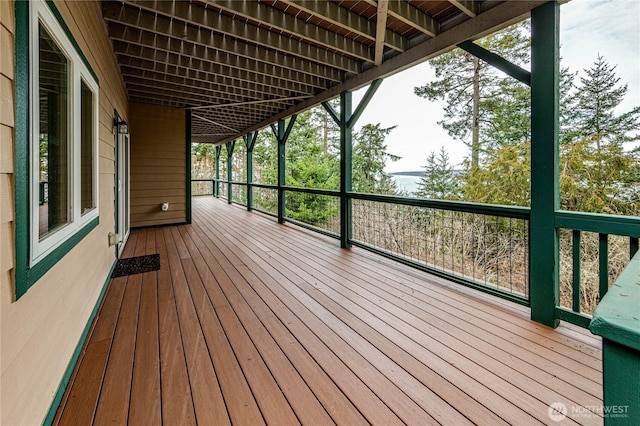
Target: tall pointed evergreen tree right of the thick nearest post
point(598, 174)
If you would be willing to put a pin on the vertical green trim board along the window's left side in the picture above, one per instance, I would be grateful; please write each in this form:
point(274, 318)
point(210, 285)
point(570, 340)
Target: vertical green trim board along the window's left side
point(21, 129)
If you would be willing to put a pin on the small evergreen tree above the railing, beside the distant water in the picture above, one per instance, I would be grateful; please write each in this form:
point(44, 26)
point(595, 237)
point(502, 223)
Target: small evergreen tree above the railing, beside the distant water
point(439, 180)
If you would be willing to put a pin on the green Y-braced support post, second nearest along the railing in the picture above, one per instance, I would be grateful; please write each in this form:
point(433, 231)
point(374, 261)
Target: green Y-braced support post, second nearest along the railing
point(347, 120)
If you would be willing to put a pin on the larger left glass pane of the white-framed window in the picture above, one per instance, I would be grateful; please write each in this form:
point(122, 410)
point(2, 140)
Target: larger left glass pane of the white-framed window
point(55, 200)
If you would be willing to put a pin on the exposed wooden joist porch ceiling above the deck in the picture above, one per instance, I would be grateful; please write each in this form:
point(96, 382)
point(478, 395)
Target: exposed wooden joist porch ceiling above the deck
point(241, 65)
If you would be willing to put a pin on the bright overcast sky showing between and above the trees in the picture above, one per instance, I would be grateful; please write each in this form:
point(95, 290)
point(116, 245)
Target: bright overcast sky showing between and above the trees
point(587, 28)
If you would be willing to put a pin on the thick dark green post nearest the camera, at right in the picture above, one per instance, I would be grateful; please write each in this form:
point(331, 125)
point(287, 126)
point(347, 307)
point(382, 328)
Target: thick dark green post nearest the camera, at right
point(545, 200)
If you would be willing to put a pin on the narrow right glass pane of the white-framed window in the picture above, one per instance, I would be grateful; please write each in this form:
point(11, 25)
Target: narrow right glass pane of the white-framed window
point(87, 119)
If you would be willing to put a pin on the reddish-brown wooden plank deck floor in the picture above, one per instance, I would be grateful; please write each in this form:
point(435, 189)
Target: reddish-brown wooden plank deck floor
point(250, 322)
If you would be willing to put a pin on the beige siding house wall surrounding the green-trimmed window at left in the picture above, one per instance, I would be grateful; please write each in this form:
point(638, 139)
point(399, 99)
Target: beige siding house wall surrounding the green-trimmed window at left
point(40, 331)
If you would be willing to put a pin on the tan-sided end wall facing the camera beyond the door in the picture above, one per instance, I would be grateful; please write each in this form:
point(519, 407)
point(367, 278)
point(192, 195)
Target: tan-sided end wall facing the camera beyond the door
point(158, 169)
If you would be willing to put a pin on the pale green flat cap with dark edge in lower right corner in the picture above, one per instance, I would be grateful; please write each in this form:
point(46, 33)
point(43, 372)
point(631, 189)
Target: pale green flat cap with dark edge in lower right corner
point(616, 317)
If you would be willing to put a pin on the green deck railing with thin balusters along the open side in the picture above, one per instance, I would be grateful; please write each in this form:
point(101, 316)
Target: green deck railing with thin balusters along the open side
point(478, 245)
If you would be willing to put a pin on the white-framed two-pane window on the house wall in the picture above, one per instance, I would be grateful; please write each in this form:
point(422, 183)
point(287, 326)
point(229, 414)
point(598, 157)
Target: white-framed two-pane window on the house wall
point(63, 136)
